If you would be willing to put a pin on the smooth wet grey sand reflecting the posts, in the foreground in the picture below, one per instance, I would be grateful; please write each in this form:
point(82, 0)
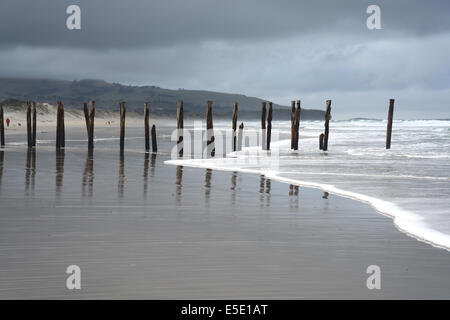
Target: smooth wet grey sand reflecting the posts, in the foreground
point(141, 229)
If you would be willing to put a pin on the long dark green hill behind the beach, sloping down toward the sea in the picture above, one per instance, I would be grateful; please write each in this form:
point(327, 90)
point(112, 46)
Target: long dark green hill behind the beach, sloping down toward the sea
point(162, 101)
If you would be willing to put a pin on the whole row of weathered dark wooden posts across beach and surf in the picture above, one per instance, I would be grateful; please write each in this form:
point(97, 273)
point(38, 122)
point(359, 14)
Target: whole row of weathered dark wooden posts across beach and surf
point(266, 126)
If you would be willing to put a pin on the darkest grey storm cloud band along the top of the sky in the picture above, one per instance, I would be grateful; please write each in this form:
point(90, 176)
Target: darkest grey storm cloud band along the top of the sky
point(143, 23)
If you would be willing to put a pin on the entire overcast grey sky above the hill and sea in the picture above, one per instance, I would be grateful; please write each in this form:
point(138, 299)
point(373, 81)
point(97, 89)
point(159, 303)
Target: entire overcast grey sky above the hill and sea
point(277, 50)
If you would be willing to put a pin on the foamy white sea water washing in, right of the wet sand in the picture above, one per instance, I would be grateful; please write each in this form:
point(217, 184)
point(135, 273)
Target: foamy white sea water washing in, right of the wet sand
point(409, 183)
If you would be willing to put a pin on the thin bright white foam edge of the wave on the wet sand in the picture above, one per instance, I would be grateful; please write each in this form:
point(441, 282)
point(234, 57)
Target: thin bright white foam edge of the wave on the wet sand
point(405, 221)
